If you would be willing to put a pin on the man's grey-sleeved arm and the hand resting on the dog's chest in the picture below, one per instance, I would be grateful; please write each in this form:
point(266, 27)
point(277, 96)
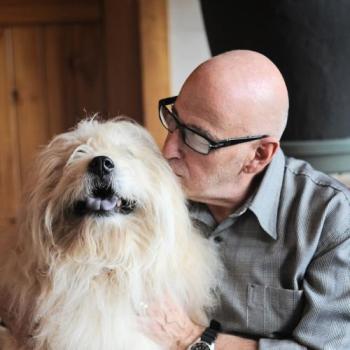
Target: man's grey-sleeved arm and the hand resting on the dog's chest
point(325, 323)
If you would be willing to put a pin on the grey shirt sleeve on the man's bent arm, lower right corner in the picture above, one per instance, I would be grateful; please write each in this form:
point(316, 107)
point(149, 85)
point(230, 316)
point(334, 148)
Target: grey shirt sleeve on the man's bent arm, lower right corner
point(325, 323)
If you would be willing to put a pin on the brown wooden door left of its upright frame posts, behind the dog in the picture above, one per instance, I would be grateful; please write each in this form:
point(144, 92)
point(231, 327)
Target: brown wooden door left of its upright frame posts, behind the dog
point(51, 75)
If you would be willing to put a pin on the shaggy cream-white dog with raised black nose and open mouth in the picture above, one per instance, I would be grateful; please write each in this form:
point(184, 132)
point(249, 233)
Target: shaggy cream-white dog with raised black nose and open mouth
point(105, 230)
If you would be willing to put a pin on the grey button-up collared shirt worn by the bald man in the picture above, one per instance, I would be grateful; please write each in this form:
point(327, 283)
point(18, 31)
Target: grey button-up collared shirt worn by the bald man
point(286, 254)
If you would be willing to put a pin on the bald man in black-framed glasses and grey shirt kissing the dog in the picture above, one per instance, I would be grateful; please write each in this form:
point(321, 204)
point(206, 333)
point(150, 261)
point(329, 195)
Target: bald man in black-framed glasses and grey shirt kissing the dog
point(281, 227)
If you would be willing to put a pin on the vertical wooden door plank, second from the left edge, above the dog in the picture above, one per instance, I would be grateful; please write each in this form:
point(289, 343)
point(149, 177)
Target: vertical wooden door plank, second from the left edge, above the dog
point(33, 128)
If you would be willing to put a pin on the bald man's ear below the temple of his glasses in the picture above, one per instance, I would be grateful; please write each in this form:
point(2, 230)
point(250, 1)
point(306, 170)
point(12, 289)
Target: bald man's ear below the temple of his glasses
point(263, 155)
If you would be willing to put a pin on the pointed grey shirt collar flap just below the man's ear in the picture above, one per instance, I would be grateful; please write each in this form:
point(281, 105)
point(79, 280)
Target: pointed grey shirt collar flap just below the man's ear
point(266, 200)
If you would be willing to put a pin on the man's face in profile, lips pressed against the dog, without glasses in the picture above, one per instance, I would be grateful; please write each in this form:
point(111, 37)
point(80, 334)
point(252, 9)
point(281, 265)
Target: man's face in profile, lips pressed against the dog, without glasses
point(205, 178)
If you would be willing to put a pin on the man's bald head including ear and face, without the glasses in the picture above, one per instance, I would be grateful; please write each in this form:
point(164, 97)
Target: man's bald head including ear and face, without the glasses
point(236, 94)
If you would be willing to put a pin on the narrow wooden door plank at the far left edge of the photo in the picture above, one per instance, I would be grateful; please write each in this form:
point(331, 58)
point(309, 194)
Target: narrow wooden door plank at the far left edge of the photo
point(9, 163)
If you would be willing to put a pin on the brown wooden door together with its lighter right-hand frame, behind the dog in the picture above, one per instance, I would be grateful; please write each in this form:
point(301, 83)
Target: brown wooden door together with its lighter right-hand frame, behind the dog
point(61, 60)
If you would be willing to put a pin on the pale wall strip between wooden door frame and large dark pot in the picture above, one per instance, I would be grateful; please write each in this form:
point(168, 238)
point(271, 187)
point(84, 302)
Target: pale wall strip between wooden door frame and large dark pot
point(188, 44)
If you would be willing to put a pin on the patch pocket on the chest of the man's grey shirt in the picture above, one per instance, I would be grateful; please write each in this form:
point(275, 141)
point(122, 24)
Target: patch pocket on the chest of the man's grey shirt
point(273, 312)
